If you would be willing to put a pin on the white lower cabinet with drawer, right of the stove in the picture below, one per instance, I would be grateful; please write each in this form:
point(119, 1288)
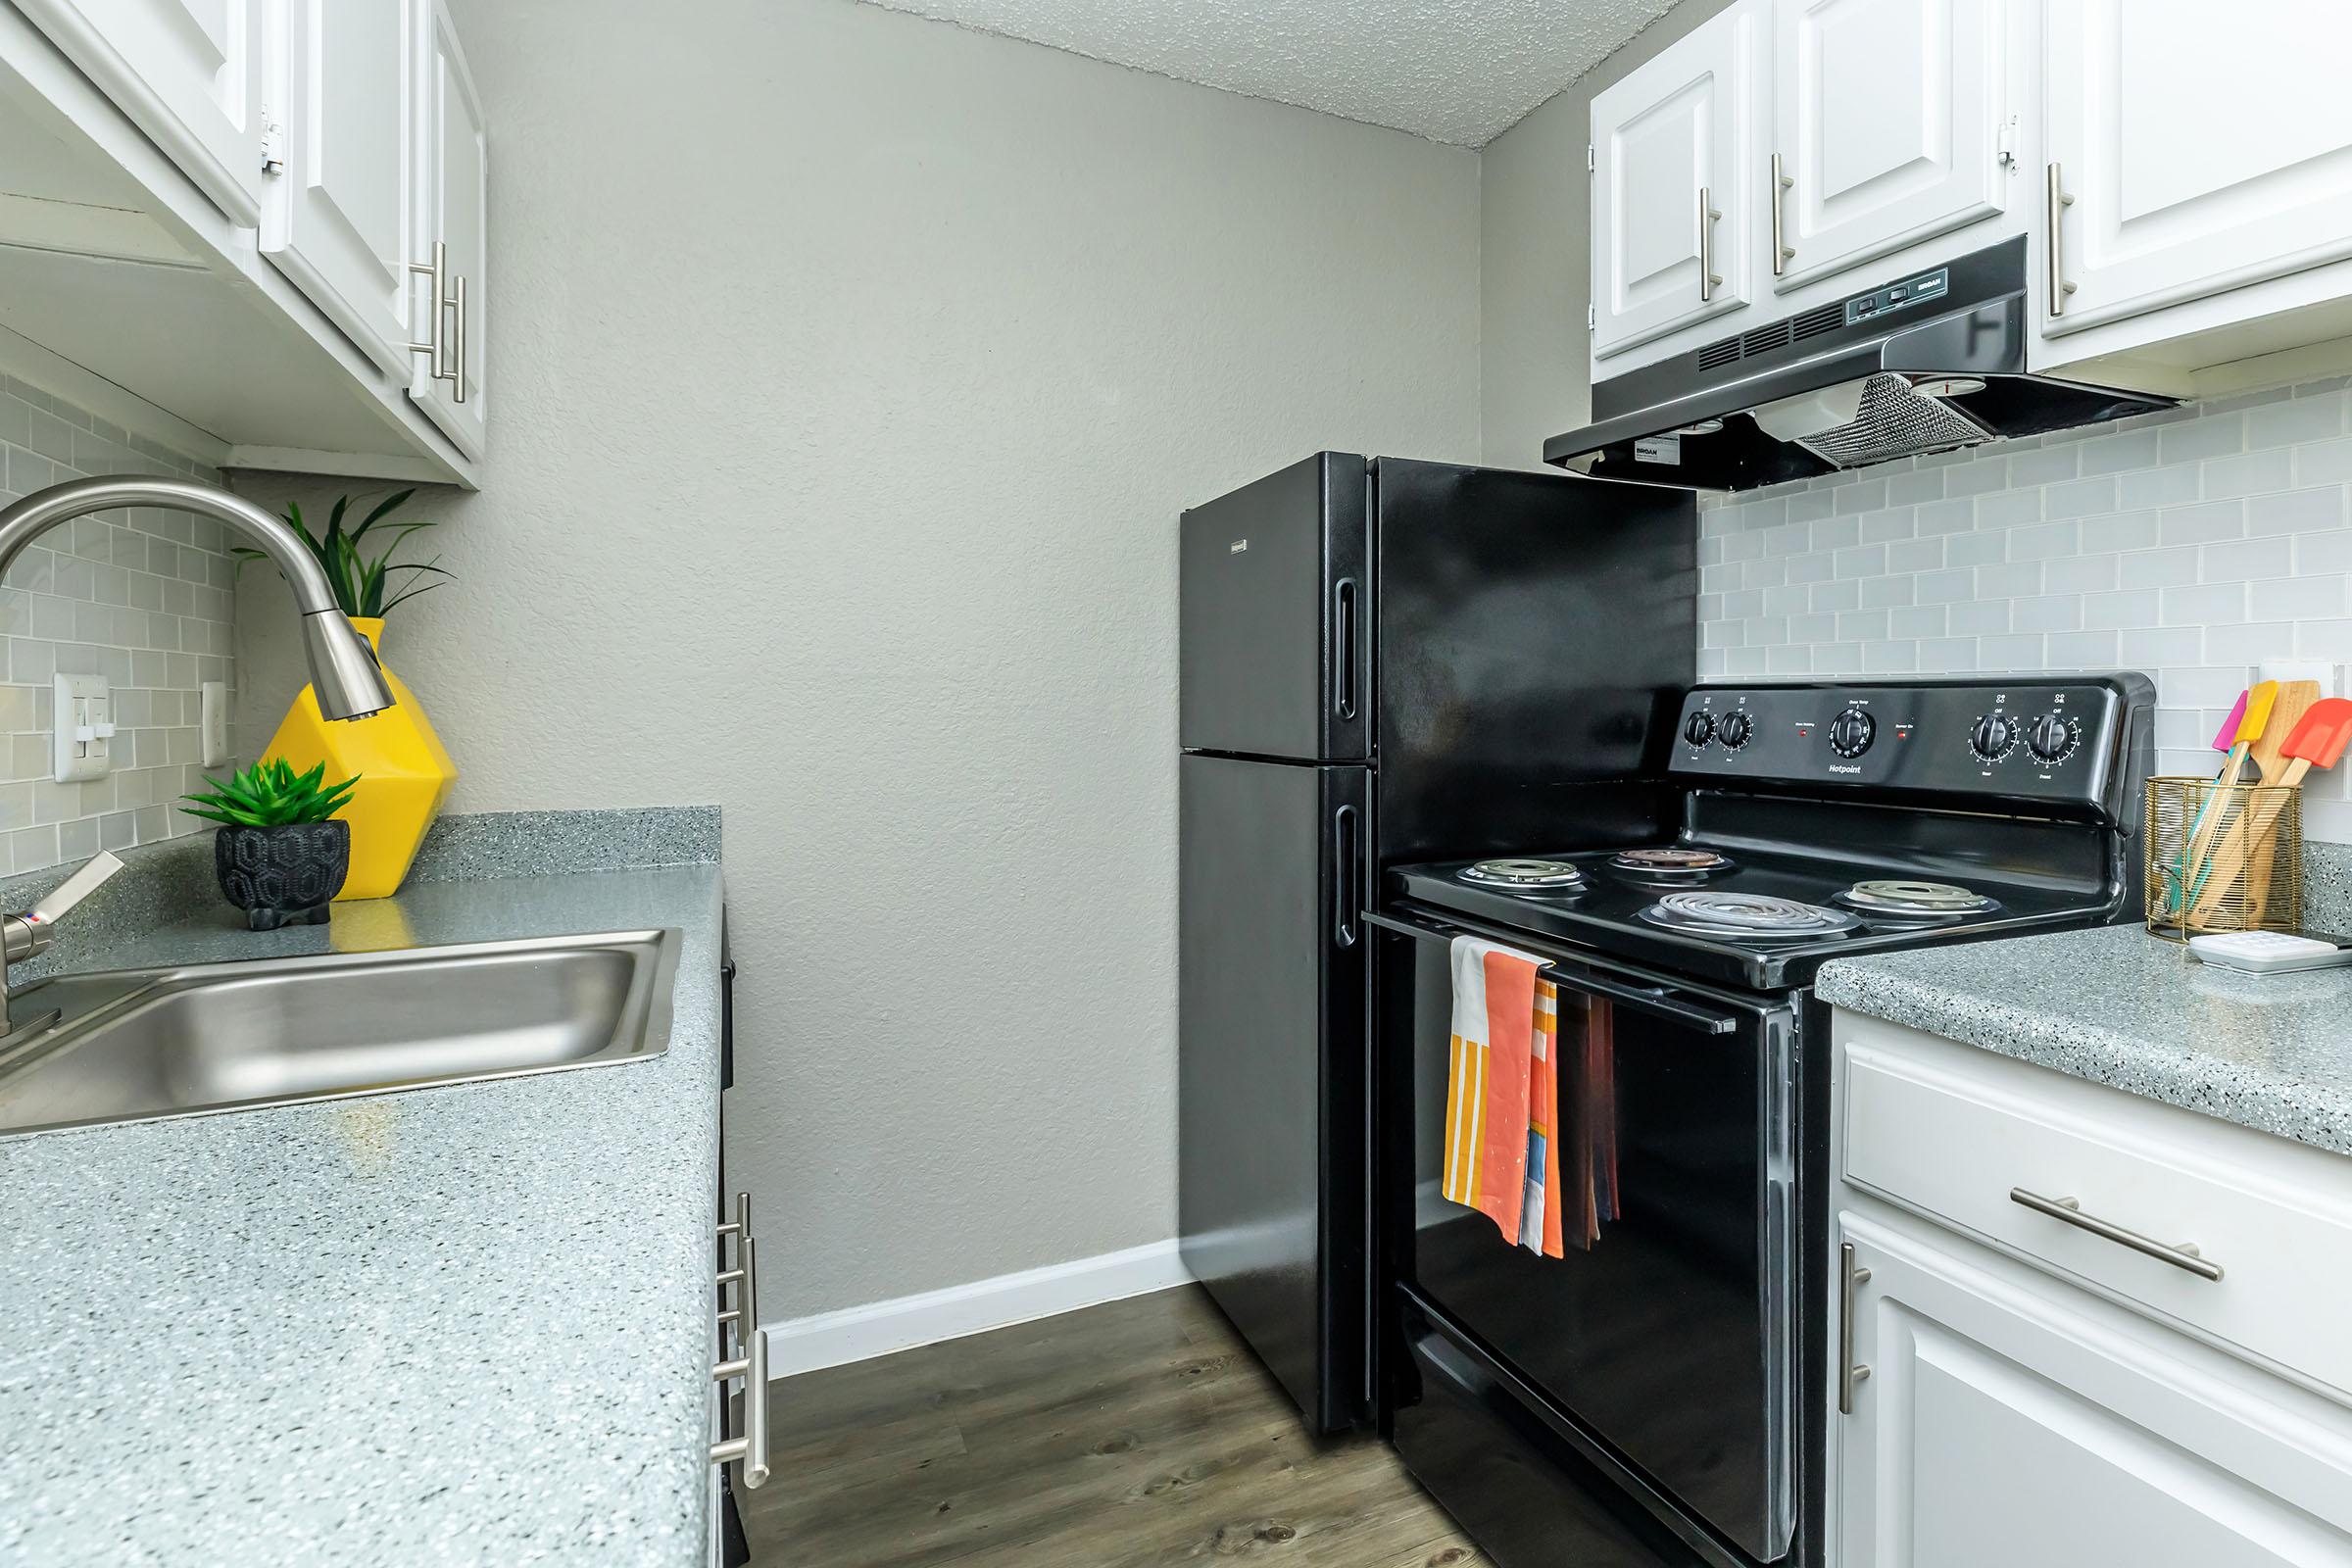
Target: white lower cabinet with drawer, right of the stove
point(2127, 1374)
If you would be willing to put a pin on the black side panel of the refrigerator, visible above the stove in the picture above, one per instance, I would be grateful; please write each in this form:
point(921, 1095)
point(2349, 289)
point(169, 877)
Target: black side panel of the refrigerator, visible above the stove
point(1537, 636)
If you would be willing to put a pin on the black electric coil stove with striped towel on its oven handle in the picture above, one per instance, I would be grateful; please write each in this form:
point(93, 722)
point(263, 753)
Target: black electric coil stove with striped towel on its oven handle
point(1655, 1395)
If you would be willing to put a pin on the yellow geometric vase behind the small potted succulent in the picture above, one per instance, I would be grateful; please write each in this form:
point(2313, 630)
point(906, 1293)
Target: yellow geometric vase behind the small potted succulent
point(403, 775)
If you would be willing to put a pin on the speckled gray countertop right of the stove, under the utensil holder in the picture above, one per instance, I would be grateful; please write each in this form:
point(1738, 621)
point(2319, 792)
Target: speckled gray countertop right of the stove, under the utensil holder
point(2125, 1010)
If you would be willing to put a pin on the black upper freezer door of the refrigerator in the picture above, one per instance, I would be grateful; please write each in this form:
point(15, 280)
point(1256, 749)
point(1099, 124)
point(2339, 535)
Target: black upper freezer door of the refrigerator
point(1276, 648)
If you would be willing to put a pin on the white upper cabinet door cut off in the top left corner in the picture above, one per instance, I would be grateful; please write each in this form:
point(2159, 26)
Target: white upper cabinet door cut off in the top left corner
point(187, 74)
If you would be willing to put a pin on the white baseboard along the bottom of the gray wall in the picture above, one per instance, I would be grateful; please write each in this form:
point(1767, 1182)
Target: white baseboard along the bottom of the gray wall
point(860, 1334)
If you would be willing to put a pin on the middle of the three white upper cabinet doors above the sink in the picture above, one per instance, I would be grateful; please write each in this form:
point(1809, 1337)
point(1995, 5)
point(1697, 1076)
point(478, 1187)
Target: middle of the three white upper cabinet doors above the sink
point(342, 217)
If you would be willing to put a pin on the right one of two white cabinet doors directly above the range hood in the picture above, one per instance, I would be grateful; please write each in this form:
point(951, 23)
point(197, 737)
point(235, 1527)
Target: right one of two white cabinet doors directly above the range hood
point(1887, 126)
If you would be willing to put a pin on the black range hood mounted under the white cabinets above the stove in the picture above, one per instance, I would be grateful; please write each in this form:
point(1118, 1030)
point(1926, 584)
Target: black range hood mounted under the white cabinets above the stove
point(1927, 363)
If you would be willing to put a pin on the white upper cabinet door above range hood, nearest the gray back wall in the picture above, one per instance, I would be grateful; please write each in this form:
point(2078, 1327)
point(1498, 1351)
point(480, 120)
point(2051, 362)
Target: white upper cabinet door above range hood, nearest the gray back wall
point(1671, 187)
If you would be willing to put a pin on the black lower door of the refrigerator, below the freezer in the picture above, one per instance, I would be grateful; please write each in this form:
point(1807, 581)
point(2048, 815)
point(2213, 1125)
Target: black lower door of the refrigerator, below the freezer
point(1271, 1068)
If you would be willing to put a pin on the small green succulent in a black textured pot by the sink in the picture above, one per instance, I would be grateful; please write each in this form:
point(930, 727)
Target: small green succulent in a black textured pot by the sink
point(281, 855)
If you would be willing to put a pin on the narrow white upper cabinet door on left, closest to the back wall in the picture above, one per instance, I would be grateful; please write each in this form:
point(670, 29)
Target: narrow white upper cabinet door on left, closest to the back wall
point(453, 206)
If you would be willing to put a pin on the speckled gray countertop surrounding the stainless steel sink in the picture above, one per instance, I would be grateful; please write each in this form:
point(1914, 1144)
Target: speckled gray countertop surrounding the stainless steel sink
point(457, 1325)
